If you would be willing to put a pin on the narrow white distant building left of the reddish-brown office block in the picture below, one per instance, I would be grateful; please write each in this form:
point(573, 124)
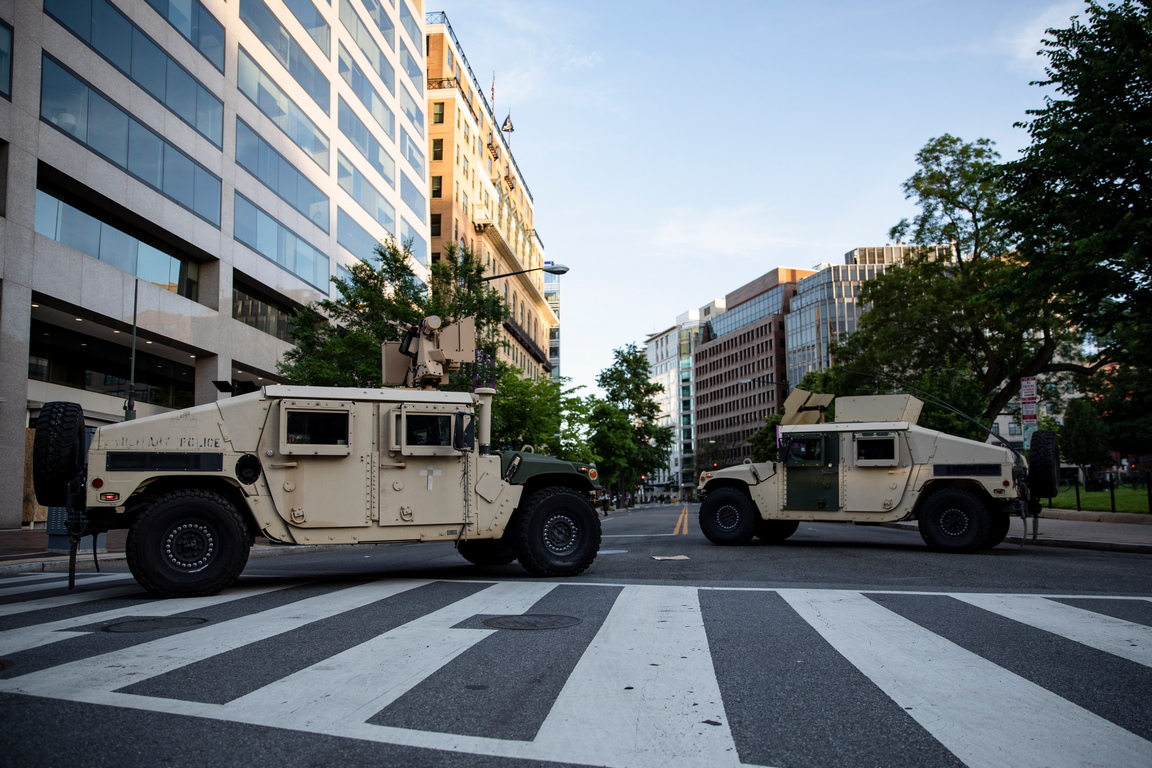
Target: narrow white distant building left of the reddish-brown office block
point(670, 356)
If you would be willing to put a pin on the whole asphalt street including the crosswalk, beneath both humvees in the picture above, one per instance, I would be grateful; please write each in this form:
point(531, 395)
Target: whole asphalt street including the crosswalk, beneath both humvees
point(844, 647)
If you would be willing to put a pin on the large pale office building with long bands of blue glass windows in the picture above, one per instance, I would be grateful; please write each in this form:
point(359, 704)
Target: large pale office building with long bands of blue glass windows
point(193, 171)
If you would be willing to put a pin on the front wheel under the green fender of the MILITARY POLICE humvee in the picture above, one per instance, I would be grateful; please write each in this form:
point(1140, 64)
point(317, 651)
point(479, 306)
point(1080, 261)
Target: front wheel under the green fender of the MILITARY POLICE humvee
point(557, 533)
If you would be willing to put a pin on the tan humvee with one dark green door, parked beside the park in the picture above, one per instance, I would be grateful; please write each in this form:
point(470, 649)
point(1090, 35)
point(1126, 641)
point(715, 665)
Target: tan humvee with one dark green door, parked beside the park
point(874, 465)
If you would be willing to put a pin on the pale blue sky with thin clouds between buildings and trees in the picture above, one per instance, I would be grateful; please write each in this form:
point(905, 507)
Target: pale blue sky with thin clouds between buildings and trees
point(677, 151)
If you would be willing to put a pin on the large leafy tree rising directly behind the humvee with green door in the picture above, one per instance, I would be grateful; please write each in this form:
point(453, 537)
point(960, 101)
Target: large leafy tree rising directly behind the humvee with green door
point(950, 322)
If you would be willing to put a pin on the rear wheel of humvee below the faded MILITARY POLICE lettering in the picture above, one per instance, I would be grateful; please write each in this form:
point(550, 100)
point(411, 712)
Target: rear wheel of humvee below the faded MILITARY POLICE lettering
point(187, 544)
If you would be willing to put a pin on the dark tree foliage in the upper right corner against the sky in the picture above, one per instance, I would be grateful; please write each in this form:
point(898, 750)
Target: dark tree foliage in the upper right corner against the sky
point(1081, 193)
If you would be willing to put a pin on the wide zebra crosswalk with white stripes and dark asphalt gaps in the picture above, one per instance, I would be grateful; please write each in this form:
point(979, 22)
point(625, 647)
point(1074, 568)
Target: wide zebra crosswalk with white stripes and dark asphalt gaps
point(649, 676)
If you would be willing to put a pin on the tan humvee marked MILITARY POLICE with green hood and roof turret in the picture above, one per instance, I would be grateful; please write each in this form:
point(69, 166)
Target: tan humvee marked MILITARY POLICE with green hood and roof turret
point(313, 466)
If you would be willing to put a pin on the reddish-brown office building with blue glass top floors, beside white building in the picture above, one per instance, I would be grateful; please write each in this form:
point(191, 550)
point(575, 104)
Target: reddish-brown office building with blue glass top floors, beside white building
point(740, 368)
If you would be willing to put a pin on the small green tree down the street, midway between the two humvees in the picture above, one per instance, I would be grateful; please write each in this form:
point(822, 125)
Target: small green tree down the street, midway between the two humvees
point(625, 455)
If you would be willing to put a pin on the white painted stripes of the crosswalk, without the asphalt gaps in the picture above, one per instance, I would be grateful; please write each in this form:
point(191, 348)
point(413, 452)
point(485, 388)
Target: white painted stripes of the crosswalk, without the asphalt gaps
point(646, 686)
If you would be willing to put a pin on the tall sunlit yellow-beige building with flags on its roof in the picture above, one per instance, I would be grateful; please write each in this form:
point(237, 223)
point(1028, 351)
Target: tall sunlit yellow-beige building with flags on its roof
point(480, 200)
